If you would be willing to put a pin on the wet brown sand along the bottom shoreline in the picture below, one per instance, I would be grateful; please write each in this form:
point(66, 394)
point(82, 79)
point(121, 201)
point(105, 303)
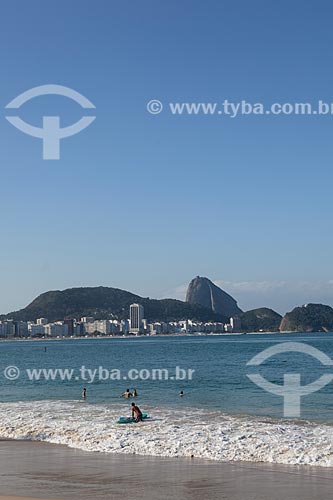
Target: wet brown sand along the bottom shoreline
point(40, 470)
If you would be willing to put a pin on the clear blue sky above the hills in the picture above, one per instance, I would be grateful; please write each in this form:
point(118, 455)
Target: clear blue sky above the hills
point(145, 202)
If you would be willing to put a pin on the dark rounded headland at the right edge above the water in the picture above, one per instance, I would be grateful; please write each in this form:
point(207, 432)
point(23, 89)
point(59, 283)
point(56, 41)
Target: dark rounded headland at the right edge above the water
point(308, 318)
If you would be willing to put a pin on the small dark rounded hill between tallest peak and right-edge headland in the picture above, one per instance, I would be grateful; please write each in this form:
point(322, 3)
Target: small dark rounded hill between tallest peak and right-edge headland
point(262, 319)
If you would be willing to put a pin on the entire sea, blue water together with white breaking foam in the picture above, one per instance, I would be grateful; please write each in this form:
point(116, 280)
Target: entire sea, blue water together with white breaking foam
point(223, 415)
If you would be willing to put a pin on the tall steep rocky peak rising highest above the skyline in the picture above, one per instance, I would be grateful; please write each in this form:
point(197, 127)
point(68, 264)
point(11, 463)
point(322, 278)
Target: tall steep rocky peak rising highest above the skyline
point(203, 291)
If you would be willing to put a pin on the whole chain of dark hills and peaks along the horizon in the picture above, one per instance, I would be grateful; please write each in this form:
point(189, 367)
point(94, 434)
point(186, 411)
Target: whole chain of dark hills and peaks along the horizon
point(207, 308)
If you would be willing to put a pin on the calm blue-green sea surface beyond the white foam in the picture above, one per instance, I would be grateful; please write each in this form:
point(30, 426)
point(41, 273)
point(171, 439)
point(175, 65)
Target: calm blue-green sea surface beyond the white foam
point(219, 382)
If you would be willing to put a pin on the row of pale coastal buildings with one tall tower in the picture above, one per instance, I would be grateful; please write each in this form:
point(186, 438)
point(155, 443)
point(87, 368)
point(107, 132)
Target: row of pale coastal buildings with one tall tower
point(89, 326)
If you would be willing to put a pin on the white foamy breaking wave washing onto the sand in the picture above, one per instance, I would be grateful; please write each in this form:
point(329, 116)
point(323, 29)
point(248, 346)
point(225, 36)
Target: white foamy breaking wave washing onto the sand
point(170, 433)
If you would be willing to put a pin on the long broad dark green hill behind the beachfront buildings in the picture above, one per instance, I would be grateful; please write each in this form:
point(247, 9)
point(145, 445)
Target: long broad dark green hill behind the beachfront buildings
point(108, 303)
